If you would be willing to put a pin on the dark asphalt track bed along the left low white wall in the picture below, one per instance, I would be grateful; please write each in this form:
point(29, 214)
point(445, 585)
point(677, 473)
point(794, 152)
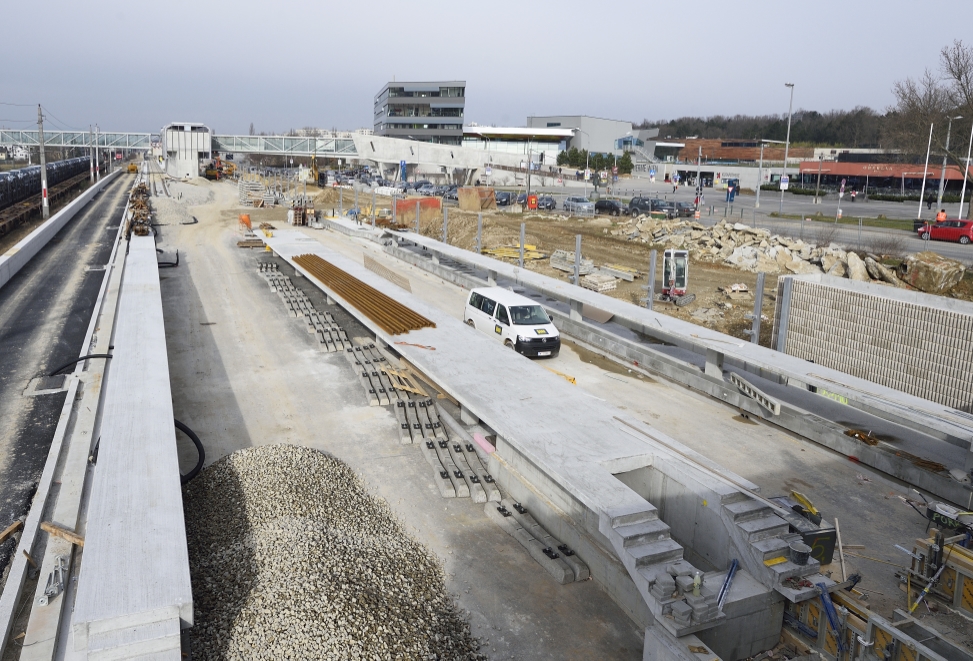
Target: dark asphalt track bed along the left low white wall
point(44, 314)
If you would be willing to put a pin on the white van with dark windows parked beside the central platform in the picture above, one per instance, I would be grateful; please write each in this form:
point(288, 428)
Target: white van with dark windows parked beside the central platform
point(517, 321)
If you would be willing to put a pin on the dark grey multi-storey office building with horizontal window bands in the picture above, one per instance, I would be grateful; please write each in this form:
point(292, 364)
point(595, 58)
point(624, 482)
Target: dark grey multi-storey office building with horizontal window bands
point(429, 111)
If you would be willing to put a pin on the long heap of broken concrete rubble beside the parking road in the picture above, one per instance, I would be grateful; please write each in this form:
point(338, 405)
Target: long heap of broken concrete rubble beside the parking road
point(757, 250)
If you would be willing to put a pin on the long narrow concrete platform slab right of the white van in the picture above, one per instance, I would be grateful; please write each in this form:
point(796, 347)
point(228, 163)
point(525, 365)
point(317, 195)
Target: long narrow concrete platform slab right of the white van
point(911, 411)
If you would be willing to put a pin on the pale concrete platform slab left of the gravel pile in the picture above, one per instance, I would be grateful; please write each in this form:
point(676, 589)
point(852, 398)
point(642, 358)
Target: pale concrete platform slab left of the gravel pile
point(134, 582)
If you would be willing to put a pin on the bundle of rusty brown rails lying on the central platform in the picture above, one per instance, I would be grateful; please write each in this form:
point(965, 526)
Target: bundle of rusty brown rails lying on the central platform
point(391, 316)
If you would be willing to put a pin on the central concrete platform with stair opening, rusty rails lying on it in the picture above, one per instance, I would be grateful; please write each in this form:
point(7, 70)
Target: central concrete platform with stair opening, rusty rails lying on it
point(569, 447)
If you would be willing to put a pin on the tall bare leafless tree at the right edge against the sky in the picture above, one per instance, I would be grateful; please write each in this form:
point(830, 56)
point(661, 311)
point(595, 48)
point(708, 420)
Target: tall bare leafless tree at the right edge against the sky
point(933, 99)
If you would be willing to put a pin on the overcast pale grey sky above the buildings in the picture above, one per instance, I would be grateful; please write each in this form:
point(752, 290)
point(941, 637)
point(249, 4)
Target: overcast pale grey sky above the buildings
point(135, 66)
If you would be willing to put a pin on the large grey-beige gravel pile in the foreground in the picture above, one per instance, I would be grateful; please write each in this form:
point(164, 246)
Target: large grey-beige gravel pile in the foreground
point(292, 559)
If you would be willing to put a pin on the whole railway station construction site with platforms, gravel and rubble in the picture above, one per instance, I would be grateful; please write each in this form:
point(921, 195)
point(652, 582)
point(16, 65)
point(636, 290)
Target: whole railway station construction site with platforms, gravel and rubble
point(282, 436)
